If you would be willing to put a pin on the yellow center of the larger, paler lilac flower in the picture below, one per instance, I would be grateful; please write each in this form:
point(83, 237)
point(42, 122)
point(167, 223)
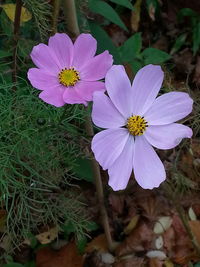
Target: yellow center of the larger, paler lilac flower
point(136, 125)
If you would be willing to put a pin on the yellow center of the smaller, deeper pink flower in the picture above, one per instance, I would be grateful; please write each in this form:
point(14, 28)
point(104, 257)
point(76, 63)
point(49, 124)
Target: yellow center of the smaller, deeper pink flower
point(68, 77)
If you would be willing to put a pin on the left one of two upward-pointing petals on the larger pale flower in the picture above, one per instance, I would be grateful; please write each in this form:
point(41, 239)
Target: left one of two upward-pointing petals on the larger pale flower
point(119, 89)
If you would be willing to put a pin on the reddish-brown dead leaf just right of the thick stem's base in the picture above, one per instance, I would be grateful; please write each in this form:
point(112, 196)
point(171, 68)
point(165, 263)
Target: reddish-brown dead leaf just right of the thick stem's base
point(140, 239)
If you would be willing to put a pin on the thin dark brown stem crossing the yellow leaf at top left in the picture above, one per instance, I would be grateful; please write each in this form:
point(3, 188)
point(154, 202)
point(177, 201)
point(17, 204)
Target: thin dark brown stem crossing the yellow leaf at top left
point(16, 39)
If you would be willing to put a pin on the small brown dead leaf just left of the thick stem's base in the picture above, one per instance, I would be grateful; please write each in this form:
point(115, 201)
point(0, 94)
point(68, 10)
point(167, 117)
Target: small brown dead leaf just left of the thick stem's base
point(99, 243)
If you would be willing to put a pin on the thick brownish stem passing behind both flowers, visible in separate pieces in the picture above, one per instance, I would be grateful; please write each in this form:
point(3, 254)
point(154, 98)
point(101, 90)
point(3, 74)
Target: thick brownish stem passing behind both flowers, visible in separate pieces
point(73, 28)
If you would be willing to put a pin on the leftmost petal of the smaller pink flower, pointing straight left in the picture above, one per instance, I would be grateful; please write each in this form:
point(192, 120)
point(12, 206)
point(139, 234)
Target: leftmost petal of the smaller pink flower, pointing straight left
point(41, 79)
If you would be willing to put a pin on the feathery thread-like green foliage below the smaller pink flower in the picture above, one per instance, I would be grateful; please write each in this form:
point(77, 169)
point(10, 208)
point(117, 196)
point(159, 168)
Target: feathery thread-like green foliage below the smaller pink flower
point(38, 149)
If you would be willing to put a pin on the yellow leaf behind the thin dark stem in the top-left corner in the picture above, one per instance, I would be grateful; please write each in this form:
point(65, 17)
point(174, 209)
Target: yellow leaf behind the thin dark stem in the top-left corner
point(10, 12)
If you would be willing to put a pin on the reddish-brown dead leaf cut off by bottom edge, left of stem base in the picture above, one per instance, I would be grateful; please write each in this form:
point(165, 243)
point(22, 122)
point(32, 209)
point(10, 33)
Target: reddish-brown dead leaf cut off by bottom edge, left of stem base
point(67, 256)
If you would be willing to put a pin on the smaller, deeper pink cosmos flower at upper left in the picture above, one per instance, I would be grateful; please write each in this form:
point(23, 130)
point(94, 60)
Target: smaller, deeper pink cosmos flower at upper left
point(67, 72)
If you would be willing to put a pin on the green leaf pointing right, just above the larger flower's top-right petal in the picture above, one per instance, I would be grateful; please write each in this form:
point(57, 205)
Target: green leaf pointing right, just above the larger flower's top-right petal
point(154, 56)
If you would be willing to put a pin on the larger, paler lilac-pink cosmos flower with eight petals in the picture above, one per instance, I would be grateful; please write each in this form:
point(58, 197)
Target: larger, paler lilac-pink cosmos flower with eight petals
point(136, 121)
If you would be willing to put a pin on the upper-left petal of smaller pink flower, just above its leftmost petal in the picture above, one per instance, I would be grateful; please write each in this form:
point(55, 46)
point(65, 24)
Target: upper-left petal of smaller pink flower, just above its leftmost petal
point(44, 58)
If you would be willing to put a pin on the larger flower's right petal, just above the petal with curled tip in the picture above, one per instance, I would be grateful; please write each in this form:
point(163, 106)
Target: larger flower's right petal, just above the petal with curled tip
point(169, 108)
